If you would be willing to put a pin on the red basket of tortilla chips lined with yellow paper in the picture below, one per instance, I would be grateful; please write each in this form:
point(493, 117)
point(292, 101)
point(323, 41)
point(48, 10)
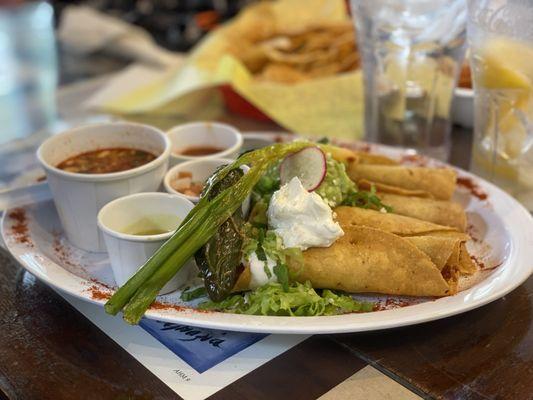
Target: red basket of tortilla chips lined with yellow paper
point(290, 61)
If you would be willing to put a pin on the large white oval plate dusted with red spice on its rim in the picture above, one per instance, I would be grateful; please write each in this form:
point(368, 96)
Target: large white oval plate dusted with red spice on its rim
point(505, 227)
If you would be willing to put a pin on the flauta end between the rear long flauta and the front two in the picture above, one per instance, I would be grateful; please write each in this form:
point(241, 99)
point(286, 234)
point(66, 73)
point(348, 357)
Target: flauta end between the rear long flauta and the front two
point(440, 212)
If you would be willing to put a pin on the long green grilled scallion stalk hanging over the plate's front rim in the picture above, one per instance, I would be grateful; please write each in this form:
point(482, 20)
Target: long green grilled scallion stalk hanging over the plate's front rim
point(136, 295)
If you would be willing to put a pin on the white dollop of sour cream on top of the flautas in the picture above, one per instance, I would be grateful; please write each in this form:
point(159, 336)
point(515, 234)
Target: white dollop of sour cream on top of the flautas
point(301, 218)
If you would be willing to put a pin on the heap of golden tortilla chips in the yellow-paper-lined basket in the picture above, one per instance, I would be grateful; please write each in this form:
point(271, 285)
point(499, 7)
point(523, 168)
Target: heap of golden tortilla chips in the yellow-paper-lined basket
point(320, 50)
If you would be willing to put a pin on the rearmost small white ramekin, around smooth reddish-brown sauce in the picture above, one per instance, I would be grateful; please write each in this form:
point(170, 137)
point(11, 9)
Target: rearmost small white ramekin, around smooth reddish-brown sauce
point(212, 134)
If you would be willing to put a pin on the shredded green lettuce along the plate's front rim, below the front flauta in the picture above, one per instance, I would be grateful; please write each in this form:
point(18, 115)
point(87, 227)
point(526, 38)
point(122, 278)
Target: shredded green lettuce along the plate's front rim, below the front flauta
point(300, 299)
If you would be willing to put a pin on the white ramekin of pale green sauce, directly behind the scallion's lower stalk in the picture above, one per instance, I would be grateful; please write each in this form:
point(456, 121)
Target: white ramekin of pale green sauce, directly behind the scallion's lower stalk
point(128, 252)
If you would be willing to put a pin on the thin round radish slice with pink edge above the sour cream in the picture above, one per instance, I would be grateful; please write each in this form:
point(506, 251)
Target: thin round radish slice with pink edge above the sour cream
point(308, 164)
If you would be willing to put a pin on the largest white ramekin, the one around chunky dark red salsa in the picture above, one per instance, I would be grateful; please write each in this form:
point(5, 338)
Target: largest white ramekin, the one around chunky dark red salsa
point(79, 197)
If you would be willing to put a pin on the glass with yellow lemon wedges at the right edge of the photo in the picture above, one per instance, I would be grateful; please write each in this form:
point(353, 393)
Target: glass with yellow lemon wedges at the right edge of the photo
point(500, 35)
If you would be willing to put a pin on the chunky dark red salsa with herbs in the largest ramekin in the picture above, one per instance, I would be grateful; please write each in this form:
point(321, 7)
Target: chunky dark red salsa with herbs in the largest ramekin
point(104, 161)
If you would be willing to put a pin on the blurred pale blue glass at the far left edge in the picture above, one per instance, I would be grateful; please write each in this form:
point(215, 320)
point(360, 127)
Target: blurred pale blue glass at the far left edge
point(28, 72)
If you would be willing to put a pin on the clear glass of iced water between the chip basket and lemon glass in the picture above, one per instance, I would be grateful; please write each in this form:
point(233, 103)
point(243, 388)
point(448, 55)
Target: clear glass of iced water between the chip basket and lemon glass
point(412, 53)
